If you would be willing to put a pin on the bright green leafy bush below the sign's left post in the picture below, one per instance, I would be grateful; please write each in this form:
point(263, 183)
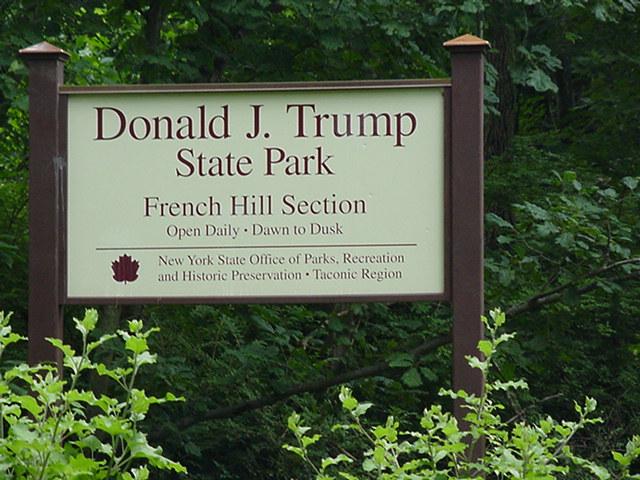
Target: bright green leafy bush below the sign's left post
point(51, 428)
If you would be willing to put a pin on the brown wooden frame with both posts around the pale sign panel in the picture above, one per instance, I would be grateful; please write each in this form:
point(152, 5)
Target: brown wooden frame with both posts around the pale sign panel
point(463, 191)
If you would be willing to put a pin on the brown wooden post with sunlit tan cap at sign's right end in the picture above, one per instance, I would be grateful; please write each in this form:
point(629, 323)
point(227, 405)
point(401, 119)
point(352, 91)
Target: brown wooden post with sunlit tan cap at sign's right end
point(467, 208)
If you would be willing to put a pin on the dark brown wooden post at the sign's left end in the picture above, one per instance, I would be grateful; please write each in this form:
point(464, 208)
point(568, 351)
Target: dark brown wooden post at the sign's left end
point(46, 73)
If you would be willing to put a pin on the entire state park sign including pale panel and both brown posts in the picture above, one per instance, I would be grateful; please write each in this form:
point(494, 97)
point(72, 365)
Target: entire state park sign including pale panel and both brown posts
point(304, 192)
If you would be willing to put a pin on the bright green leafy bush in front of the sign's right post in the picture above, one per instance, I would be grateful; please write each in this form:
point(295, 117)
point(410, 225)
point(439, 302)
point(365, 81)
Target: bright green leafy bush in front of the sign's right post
point(443, 450)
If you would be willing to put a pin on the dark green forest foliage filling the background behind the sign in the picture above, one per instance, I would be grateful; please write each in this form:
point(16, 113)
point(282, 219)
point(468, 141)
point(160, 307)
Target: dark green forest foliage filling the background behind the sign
point(562, 168)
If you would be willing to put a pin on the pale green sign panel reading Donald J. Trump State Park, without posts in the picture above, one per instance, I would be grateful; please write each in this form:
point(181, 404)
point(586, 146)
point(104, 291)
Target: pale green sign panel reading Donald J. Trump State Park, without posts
point(268, 193)
